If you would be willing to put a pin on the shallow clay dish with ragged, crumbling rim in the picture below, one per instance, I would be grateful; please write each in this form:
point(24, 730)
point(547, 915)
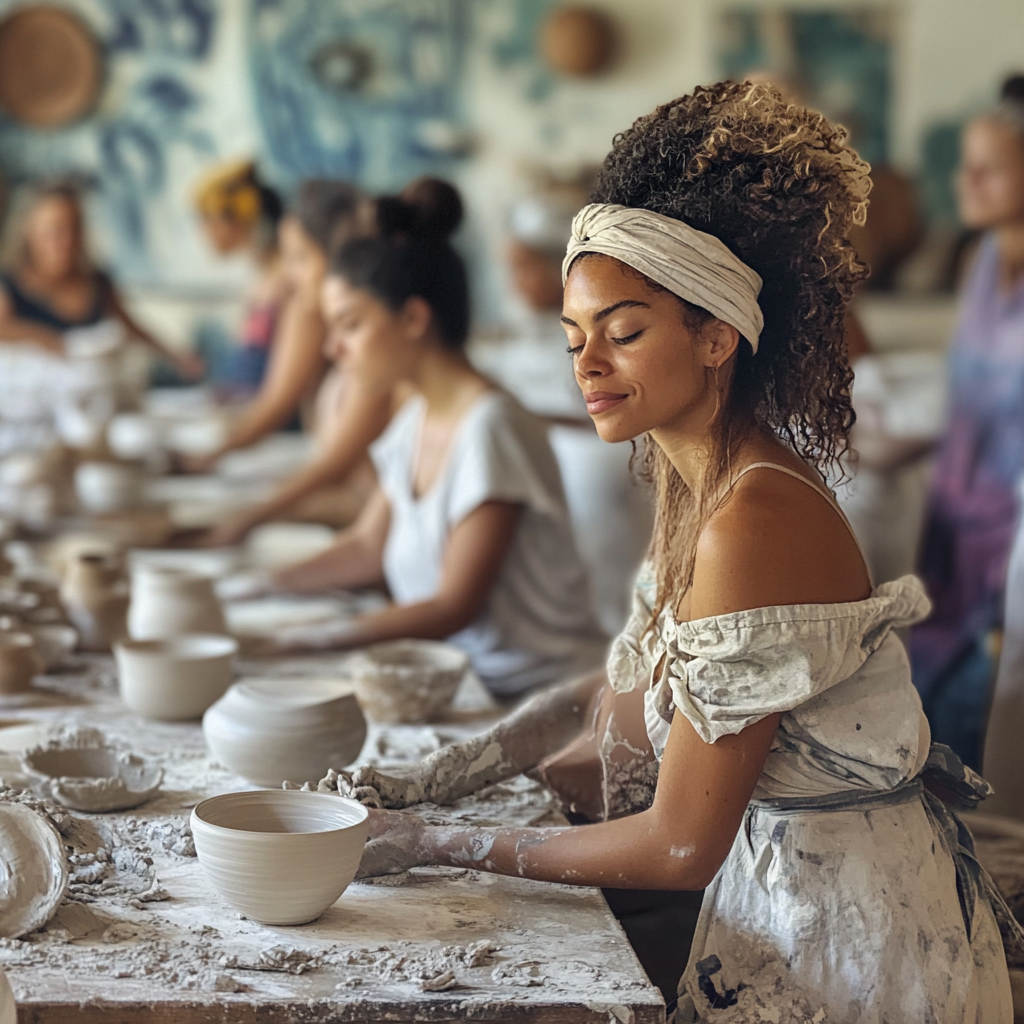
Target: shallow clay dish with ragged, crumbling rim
point(80, 771)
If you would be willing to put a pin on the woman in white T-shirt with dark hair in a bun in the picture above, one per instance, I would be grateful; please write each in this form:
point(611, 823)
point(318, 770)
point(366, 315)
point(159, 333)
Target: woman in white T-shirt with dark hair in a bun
point(468, 526)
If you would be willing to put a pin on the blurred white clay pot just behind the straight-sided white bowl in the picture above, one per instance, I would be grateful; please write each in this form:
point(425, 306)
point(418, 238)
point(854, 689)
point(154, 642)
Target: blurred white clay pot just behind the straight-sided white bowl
point(169, 603)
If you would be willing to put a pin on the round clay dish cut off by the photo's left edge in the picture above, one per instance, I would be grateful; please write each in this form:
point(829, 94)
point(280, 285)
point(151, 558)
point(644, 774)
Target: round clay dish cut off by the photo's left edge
point(33, 871)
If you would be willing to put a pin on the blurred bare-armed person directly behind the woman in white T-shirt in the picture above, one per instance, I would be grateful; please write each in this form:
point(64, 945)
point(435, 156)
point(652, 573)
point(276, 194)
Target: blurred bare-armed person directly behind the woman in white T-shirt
point(349, 415)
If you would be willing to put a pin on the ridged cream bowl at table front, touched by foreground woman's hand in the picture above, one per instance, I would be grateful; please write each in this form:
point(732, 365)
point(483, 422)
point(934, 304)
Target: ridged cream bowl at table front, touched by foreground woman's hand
point(281, 858)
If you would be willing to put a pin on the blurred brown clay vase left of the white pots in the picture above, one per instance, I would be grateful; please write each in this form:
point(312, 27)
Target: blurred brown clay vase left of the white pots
point(95, 594)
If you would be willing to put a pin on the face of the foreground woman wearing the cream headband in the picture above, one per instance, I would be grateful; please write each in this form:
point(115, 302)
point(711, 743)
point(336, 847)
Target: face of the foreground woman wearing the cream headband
point(638, 365)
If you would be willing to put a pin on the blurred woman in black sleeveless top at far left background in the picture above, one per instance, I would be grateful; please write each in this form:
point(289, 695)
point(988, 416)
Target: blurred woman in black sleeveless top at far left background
point(55, 288)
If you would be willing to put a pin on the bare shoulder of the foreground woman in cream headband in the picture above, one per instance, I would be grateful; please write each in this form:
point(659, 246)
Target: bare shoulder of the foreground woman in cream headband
point(776, 541)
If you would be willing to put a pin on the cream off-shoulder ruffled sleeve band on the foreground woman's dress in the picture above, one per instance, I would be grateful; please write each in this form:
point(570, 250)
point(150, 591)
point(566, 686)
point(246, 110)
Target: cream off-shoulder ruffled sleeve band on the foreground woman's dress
point(729, 672)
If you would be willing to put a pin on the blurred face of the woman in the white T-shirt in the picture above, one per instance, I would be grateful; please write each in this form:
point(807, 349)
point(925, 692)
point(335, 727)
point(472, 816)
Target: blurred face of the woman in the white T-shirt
point(372, 342)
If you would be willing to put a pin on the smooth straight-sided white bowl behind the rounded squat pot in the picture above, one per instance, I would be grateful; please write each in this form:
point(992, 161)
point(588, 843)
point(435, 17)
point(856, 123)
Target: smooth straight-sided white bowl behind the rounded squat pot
point(178, 678)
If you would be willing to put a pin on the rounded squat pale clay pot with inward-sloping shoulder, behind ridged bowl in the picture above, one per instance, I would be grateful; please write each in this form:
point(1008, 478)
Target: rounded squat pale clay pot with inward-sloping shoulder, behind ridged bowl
point(269, 731)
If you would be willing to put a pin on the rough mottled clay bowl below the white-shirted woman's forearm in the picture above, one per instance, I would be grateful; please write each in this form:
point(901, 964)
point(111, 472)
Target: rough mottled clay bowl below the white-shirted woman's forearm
point(407, 681)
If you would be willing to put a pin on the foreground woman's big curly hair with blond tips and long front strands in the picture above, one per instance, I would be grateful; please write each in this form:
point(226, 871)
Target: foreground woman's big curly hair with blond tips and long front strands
point(779, 185)
